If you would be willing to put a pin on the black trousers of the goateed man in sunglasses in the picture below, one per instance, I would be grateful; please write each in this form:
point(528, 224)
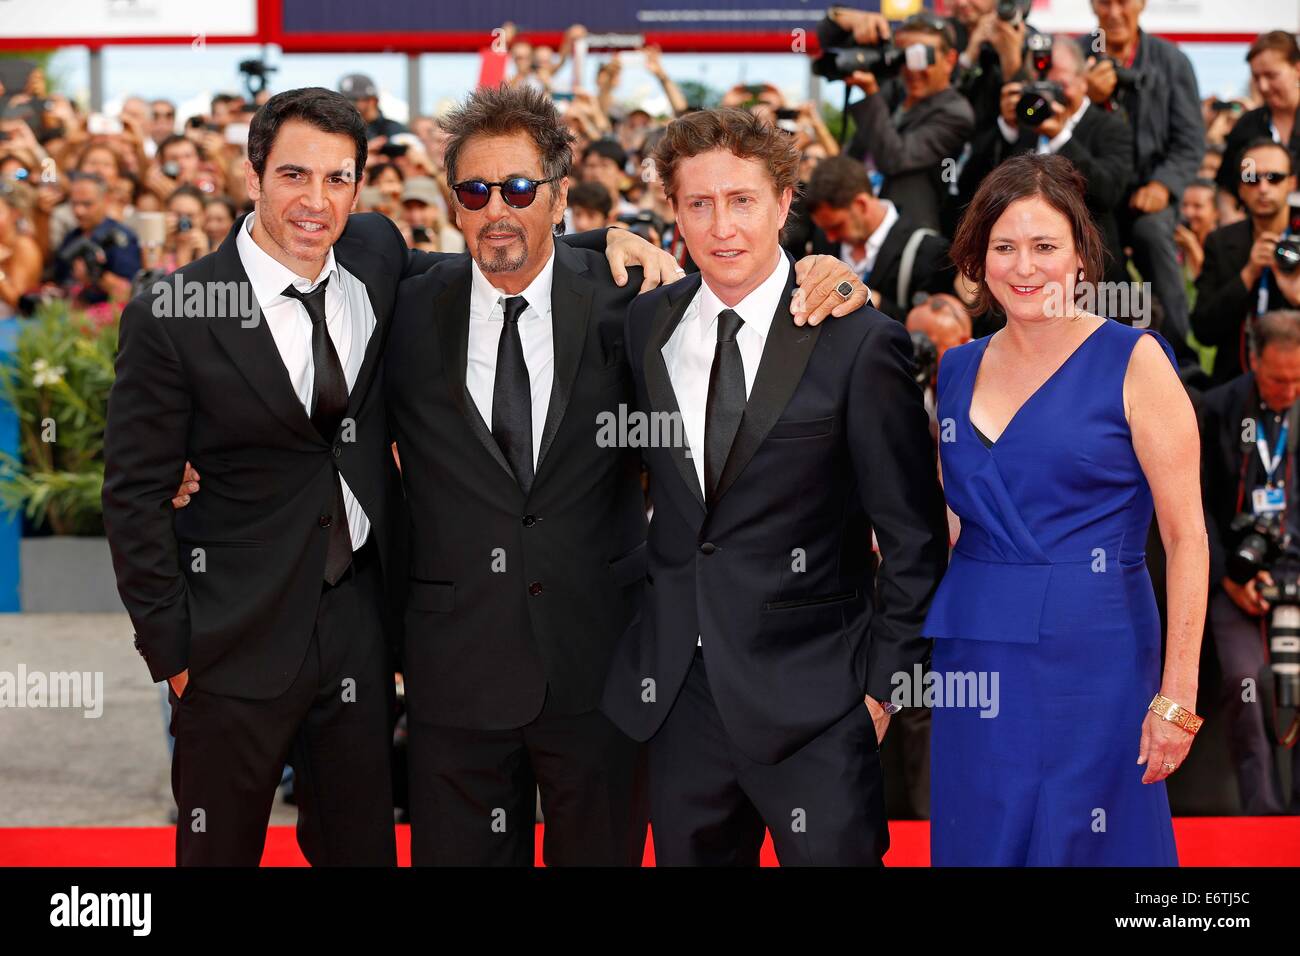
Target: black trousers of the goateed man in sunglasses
point(474, 794)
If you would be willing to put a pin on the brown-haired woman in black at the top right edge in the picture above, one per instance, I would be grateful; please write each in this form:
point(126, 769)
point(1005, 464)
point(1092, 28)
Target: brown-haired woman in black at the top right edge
point(1275, 60)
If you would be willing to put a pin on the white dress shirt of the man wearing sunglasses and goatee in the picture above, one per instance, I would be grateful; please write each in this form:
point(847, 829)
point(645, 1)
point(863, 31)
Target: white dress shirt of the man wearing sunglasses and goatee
point(487, 315)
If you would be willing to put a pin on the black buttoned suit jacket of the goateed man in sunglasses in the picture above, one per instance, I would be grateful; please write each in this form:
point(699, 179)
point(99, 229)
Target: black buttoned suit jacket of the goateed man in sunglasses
point(514, 598)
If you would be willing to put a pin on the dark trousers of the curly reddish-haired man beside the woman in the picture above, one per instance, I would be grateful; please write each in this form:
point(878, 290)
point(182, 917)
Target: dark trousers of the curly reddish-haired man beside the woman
point(709, 803)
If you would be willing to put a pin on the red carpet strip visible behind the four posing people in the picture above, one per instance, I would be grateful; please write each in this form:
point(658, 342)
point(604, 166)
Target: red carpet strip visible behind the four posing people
point(1202, 842)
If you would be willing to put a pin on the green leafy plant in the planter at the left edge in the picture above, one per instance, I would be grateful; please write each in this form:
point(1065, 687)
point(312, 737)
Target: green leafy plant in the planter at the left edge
point(58, 380)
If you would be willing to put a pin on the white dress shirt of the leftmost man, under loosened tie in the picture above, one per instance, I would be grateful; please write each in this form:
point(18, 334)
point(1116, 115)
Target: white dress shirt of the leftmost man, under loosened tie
point(349, 319)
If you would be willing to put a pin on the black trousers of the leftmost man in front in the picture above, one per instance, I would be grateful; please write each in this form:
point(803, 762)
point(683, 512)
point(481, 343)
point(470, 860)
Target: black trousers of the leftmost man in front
point(332, 726)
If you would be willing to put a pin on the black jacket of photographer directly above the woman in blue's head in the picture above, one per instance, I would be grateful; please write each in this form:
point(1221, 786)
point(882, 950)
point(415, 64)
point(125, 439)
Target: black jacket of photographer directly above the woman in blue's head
point(1102, 148)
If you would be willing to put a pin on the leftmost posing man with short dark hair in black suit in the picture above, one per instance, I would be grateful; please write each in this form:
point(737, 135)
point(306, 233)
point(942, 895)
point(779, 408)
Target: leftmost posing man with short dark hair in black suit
point(265, 602)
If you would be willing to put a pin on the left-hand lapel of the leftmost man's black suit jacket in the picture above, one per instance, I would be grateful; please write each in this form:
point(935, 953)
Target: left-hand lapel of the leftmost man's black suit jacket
point(253, 348)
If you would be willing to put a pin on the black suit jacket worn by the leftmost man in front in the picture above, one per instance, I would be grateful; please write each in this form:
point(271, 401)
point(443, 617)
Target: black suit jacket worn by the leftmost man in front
point(214, 392)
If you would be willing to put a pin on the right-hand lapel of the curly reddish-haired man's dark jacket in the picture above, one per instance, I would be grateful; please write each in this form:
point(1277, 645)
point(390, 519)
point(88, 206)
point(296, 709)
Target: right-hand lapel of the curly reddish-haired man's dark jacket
point(786, 356)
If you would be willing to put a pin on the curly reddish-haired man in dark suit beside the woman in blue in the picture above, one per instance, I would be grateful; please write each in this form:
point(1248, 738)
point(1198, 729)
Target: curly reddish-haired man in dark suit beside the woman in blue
point(762, 655)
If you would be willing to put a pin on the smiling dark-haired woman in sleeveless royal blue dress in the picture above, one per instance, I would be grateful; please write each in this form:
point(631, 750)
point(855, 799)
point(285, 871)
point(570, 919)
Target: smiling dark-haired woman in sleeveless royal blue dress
point(1059, 435)
